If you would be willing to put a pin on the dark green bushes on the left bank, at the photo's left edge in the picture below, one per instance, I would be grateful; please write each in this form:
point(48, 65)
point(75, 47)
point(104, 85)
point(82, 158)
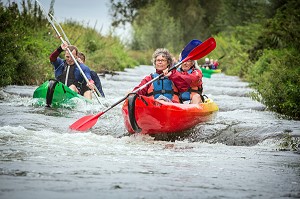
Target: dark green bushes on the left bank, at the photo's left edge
point(23, 40)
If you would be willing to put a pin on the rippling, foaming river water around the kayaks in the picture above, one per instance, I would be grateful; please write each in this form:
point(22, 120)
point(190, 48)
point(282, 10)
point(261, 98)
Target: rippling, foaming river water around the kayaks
point(234, 156)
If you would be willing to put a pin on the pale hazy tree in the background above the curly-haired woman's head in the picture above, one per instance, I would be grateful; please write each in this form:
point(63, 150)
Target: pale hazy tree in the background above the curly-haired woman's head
point(154, 28)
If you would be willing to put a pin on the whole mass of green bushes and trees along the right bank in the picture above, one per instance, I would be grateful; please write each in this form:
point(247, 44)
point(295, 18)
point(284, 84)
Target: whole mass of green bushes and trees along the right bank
point(267, 55)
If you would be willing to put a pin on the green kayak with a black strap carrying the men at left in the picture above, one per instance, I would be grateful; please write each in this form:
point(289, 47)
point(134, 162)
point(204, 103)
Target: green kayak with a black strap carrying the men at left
point(55, 94)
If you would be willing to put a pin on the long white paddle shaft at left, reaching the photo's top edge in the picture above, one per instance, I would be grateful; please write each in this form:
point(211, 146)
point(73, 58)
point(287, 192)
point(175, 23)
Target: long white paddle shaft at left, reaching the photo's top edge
point(62, 40)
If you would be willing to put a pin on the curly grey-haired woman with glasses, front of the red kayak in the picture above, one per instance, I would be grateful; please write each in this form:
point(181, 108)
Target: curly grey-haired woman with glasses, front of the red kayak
point(168, 86)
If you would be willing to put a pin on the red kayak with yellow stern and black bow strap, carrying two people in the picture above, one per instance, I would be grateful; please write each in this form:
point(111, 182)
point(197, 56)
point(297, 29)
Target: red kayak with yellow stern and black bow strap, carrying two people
point(148, 116)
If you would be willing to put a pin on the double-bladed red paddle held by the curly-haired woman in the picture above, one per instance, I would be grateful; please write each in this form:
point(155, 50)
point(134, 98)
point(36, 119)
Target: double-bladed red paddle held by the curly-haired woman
point(87, 122)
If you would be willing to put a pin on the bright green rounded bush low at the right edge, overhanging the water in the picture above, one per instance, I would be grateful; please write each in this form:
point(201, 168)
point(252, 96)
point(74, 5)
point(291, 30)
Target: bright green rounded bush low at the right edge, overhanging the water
point(276, 77)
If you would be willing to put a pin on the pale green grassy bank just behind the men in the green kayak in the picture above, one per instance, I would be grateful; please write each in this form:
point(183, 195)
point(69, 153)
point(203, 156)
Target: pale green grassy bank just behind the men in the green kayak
point(102, 53)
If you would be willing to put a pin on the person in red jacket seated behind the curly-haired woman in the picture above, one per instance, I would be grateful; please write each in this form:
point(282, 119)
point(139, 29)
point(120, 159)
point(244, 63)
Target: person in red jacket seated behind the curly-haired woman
point(194, 93)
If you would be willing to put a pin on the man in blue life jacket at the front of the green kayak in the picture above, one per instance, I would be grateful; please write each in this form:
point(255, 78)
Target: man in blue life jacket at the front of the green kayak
point(67, 72)
